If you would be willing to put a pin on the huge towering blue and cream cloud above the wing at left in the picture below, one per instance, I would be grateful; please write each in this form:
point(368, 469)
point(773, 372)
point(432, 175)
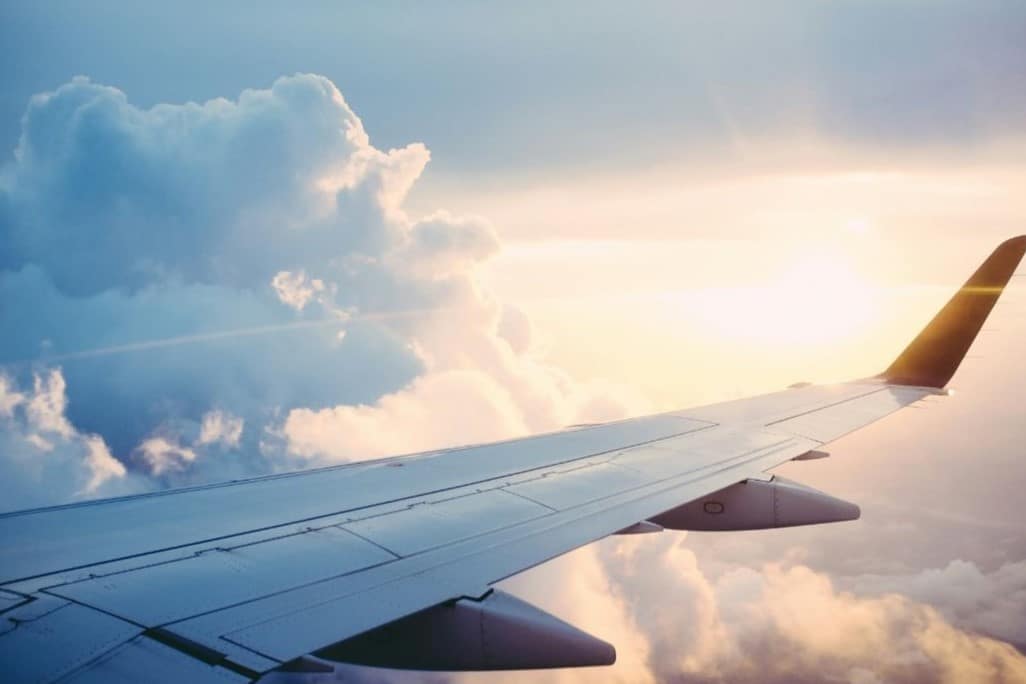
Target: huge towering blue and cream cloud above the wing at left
point(234, 288)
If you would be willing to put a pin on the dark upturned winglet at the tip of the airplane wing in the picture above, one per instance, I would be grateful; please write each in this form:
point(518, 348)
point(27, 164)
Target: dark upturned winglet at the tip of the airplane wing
point(936, 353)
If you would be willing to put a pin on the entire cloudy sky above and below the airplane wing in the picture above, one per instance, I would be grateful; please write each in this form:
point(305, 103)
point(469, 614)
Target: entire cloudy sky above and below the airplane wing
point(245, 238)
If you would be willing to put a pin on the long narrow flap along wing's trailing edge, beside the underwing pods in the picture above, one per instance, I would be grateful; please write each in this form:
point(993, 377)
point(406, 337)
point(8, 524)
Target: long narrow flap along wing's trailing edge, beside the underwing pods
point(348, 607)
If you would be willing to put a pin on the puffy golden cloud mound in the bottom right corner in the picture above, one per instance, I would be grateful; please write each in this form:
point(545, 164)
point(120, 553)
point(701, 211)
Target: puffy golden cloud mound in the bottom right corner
point(830, 631)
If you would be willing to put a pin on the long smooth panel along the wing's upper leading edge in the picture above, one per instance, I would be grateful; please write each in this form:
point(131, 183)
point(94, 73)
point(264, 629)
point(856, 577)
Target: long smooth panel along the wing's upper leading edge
point(48, 541)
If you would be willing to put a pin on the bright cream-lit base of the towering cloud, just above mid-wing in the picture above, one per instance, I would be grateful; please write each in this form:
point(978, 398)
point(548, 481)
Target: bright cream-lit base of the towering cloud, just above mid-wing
point(507, 396)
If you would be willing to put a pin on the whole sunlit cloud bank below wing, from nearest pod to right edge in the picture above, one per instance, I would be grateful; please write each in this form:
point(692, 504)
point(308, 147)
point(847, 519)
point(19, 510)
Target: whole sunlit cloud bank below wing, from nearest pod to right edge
point(785, 622)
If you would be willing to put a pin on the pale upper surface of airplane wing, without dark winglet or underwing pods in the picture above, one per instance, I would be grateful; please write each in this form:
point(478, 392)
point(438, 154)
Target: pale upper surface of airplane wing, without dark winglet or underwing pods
point(269, 571)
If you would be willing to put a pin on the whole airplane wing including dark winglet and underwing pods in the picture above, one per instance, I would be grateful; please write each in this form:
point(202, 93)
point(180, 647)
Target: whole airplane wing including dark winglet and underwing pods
point(391, 562)
